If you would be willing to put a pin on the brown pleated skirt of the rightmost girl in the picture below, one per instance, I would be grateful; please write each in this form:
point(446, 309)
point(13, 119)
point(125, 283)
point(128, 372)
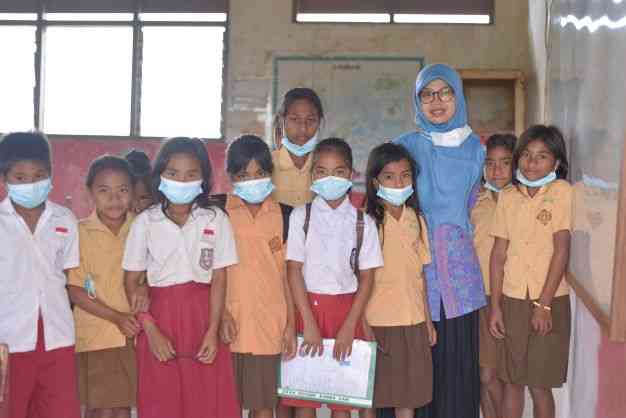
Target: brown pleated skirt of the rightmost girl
point(527, 359)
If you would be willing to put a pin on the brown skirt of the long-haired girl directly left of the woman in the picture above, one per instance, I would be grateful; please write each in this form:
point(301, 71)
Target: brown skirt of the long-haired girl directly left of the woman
point(404, 367)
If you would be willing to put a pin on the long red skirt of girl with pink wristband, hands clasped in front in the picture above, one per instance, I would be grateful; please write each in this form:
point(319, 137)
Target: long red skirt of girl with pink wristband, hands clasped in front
point(184, 387)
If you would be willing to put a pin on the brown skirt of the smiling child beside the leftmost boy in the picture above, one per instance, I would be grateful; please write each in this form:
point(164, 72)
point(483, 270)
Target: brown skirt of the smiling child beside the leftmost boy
point(108, 378)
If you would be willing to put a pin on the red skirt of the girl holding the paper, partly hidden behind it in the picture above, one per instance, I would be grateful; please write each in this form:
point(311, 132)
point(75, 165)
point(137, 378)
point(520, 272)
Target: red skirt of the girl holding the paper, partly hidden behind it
point(330, 312)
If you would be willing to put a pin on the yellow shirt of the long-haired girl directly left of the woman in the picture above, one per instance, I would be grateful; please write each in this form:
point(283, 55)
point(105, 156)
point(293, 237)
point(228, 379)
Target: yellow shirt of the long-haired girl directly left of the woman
point(399, 286)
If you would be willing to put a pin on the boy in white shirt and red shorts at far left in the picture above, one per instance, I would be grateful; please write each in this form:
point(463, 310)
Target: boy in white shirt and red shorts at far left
point(40, 244)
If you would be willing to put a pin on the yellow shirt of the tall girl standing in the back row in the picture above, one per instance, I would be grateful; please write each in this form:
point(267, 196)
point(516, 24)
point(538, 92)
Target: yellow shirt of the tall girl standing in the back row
point(292, 184)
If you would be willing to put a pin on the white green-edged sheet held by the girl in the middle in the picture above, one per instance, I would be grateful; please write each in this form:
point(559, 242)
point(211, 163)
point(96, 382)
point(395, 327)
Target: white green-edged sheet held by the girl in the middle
point(326, 380)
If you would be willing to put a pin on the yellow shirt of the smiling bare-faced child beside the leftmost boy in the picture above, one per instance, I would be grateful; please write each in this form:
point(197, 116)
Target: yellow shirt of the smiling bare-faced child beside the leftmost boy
point(101, 254)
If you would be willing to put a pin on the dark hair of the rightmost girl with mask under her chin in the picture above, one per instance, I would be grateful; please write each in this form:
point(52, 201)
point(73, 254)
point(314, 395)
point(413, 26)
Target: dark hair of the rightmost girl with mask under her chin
point(552, 137)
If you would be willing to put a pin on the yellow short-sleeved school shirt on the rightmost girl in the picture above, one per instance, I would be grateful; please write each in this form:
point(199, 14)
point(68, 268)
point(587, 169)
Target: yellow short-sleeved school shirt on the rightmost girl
point(529, 225)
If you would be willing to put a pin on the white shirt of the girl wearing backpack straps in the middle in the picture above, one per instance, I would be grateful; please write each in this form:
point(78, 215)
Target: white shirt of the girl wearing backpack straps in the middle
point(329, 244)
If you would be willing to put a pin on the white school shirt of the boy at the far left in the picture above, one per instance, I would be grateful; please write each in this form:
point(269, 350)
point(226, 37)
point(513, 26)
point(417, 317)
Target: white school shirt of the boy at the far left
point(32, 280)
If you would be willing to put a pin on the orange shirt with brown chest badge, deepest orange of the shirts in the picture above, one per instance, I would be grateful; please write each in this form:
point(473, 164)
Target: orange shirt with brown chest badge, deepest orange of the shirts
point(255, 294)
